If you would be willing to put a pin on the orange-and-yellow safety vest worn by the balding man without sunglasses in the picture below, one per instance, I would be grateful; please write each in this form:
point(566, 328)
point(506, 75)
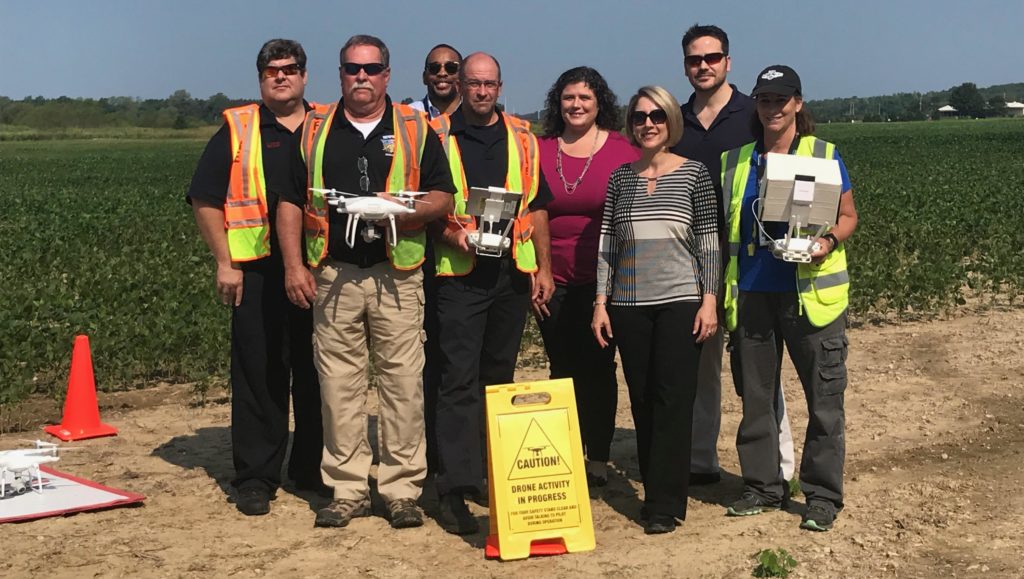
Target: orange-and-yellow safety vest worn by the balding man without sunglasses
point(524, 175)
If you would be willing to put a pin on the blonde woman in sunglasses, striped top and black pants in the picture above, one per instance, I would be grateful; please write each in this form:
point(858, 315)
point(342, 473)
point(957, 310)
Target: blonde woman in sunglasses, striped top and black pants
point(659, 267)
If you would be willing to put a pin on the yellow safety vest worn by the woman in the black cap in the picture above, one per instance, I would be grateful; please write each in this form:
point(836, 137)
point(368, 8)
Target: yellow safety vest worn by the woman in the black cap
point(825, 288)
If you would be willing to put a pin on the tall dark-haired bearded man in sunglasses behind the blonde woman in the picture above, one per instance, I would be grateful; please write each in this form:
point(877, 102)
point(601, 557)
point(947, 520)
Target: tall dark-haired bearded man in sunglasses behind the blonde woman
point(716, 119)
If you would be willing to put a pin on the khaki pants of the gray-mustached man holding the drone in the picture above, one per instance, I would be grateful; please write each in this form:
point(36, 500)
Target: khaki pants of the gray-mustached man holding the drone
point(386, 306)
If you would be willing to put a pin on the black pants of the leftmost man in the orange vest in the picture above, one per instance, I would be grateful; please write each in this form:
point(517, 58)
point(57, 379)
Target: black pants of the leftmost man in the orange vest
point(272, 356)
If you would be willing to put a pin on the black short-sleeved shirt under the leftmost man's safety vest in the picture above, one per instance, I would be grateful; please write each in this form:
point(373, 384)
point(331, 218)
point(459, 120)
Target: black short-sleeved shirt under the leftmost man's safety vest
point(212, 178)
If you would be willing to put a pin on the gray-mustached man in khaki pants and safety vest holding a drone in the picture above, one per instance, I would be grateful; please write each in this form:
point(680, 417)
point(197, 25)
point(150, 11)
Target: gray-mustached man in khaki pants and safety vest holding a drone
point(370, 292)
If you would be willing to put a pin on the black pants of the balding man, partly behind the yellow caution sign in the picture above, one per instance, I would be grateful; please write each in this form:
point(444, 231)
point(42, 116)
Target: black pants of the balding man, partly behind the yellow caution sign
point(482, 318)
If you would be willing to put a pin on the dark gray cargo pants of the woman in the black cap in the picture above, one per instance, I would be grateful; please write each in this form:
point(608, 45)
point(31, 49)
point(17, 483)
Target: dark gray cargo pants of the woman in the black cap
point(820, 357)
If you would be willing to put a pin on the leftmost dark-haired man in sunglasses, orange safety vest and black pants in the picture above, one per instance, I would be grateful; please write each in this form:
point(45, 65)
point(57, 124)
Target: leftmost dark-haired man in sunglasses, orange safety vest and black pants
point(271, 339)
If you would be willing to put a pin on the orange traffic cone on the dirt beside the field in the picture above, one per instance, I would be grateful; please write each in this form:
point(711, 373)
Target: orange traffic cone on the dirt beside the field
point(81, 420)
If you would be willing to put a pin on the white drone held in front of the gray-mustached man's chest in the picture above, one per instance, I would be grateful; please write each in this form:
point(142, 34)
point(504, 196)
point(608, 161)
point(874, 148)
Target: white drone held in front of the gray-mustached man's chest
point(371, 210)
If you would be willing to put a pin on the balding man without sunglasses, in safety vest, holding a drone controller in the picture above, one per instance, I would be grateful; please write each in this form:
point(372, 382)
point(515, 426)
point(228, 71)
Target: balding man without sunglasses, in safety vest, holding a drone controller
point(483, 302)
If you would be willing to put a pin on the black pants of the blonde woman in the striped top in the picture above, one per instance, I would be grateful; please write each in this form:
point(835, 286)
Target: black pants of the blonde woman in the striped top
point(660, 360)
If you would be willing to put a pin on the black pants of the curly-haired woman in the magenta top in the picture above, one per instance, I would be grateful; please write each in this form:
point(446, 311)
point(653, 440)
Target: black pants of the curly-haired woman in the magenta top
point(575, 354)
